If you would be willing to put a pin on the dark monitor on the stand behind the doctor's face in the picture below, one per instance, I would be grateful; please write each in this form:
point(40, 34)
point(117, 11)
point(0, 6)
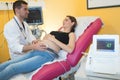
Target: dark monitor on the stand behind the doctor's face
point(35, 16)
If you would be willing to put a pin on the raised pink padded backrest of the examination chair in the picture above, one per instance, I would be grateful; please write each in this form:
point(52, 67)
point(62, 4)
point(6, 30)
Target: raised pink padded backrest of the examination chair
point(83, 42)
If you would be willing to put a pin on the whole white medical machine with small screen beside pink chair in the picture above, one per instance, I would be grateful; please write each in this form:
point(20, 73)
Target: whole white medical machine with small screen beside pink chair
point(103, 60)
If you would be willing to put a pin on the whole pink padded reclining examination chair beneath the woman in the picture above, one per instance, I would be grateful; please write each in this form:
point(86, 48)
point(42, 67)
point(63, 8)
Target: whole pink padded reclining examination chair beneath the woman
point(52, 71)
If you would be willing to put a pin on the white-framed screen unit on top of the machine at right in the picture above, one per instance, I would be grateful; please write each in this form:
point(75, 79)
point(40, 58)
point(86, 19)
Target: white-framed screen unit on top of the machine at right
point(106, 44)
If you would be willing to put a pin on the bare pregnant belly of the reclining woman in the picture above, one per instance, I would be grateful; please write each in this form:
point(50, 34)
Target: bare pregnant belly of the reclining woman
point(51, 45)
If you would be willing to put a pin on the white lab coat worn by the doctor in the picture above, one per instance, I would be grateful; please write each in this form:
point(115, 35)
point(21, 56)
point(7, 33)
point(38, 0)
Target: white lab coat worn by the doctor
point(15, 38)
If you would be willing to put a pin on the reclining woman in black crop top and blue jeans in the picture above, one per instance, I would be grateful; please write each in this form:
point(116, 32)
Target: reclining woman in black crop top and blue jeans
point(55, 41)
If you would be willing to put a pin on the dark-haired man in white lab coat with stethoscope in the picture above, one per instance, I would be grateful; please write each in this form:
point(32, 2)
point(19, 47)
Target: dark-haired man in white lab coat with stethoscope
point(18, 35)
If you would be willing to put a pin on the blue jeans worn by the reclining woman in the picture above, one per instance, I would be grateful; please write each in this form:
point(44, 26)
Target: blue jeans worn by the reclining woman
point(27, 63)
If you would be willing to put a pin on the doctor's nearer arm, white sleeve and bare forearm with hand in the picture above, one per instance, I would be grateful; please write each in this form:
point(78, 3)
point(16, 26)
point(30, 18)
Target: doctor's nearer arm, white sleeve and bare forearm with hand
point(13, 38)
